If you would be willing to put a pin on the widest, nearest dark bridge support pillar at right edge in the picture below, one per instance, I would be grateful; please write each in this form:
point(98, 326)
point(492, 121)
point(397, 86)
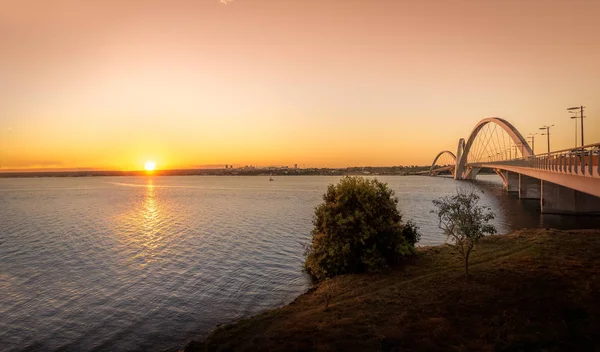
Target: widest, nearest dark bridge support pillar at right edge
point(556, 199)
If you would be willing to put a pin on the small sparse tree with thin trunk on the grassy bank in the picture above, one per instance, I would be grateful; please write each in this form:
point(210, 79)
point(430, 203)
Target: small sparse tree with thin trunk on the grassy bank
point(463, 221)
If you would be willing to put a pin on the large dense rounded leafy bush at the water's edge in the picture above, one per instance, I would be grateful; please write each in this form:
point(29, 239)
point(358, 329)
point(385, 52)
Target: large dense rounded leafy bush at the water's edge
point(358, 228)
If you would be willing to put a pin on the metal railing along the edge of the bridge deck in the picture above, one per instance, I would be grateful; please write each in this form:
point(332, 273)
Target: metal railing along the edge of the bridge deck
point(581, 161)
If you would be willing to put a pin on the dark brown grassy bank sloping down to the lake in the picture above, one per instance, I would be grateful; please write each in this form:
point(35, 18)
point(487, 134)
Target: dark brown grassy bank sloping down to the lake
point(530, 290)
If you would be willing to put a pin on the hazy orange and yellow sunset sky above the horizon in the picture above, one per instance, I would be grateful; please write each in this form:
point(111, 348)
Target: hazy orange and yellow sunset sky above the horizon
point(109, 84)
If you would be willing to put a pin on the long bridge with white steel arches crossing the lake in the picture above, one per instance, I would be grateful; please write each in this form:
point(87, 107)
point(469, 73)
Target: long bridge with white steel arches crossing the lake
point(565, 181)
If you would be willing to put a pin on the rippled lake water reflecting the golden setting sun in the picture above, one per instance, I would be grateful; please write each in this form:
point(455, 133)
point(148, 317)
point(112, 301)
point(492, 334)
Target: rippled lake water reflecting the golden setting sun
point(148, 263)
